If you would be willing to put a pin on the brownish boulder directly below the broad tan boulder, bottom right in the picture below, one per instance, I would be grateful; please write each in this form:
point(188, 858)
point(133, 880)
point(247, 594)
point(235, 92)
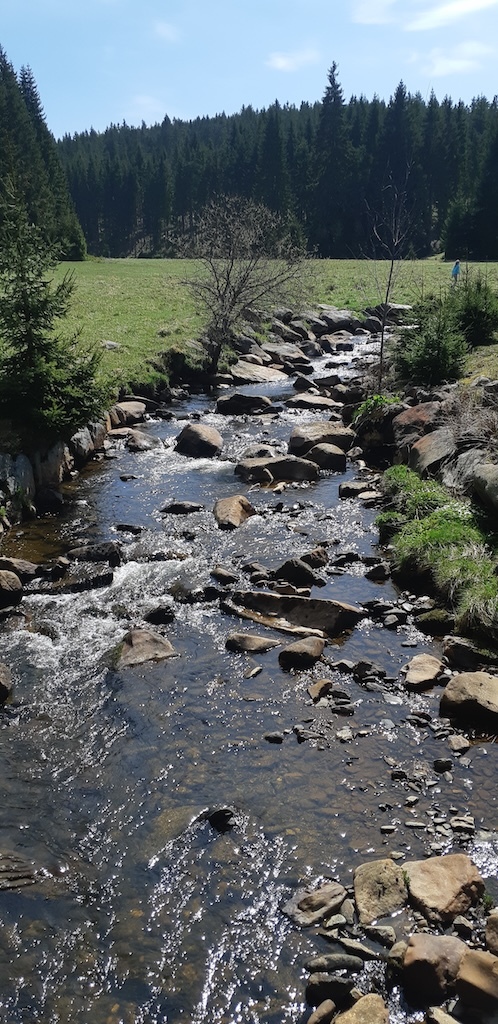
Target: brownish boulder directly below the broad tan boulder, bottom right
point(431, 967)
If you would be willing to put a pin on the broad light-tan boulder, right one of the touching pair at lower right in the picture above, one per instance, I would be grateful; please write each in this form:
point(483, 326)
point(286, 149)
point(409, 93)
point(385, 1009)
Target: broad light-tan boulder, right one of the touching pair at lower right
point(444, 887)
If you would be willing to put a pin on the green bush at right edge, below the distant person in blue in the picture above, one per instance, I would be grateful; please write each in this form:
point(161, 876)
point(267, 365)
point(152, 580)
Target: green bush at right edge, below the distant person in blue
point(476, 310)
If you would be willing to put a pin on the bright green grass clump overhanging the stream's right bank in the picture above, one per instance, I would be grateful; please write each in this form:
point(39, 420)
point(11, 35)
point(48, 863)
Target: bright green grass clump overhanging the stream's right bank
point(445, 543)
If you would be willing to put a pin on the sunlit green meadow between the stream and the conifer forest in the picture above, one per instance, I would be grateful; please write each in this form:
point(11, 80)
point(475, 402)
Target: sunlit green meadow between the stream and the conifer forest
point(146, 309)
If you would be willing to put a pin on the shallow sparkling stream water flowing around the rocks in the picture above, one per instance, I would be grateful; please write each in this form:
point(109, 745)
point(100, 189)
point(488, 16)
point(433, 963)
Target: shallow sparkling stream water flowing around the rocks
point(148, 912)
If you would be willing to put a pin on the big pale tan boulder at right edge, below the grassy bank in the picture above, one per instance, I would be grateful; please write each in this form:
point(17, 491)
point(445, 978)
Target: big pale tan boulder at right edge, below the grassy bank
point(472, 696)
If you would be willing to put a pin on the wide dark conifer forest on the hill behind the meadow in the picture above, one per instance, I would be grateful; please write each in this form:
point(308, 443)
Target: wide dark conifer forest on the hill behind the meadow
point(324, 166)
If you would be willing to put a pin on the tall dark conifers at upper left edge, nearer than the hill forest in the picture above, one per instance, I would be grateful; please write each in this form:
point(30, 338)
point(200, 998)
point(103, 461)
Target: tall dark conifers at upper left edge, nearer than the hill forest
point(31, 166)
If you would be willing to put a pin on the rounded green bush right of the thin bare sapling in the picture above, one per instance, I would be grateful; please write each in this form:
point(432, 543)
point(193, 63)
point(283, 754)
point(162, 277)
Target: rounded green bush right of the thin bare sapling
point(436, 353)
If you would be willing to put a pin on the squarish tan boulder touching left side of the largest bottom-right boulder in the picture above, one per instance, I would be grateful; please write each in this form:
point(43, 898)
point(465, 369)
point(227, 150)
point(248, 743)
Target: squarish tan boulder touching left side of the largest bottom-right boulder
point(380, 890)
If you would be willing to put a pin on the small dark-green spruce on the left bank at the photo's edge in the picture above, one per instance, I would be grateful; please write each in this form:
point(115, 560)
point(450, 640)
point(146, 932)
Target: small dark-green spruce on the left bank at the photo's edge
point(48, 382)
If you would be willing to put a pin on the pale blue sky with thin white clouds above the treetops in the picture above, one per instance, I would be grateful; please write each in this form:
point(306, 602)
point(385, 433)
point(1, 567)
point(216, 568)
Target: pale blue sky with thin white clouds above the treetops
point(103, 62)
